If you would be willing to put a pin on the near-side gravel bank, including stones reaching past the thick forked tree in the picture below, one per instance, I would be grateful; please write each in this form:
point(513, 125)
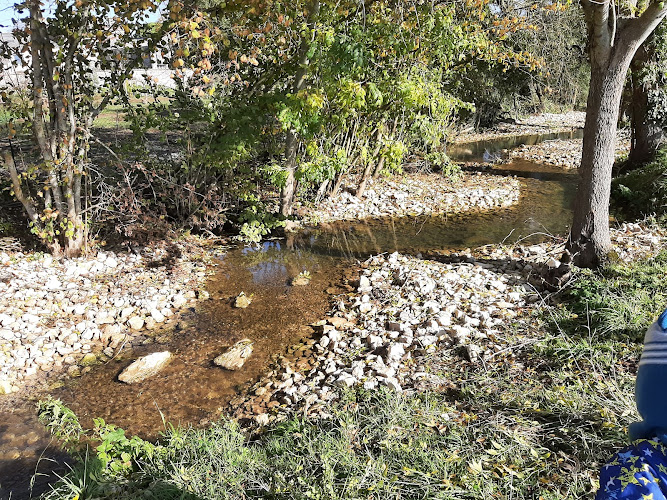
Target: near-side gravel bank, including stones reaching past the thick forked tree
point(405, 309)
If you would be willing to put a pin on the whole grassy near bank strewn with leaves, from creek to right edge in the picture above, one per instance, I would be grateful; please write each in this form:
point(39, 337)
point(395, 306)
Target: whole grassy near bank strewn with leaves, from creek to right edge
point(538, 423)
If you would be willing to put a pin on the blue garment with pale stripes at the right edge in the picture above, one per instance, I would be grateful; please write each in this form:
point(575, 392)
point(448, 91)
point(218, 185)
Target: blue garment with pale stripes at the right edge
point(651, 384)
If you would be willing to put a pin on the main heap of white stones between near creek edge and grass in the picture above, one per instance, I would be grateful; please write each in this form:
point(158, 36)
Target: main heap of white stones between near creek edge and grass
point(405, 308)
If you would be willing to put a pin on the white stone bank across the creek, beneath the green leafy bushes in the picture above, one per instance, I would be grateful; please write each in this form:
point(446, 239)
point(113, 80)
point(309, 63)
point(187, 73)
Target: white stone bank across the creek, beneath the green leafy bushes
point(421, 195)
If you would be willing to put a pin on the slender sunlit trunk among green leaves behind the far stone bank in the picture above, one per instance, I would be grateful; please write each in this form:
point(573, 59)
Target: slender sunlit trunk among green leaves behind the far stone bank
point(292, 141)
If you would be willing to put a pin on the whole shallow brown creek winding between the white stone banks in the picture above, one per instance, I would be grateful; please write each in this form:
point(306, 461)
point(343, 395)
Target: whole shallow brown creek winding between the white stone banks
point(191, 391)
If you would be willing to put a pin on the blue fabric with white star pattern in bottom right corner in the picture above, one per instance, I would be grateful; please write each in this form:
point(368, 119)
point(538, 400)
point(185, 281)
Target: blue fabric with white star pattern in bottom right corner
point(636, 472)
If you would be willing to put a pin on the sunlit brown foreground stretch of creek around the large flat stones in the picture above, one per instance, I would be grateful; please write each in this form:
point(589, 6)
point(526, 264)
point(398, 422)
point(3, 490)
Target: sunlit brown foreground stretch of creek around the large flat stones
point(190, 391)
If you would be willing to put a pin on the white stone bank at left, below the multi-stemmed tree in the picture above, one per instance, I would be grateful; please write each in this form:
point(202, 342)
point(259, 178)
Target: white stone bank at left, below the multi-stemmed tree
point(53, 312)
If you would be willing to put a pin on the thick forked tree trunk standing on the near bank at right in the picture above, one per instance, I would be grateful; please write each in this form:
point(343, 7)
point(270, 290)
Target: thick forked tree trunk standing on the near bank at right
point(612, 45)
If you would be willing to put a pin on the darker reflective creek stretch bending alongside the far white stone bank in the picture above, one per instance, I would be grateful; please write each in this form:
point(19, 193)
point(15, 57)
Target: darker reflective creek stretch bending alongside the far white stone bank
point(545, 208)
